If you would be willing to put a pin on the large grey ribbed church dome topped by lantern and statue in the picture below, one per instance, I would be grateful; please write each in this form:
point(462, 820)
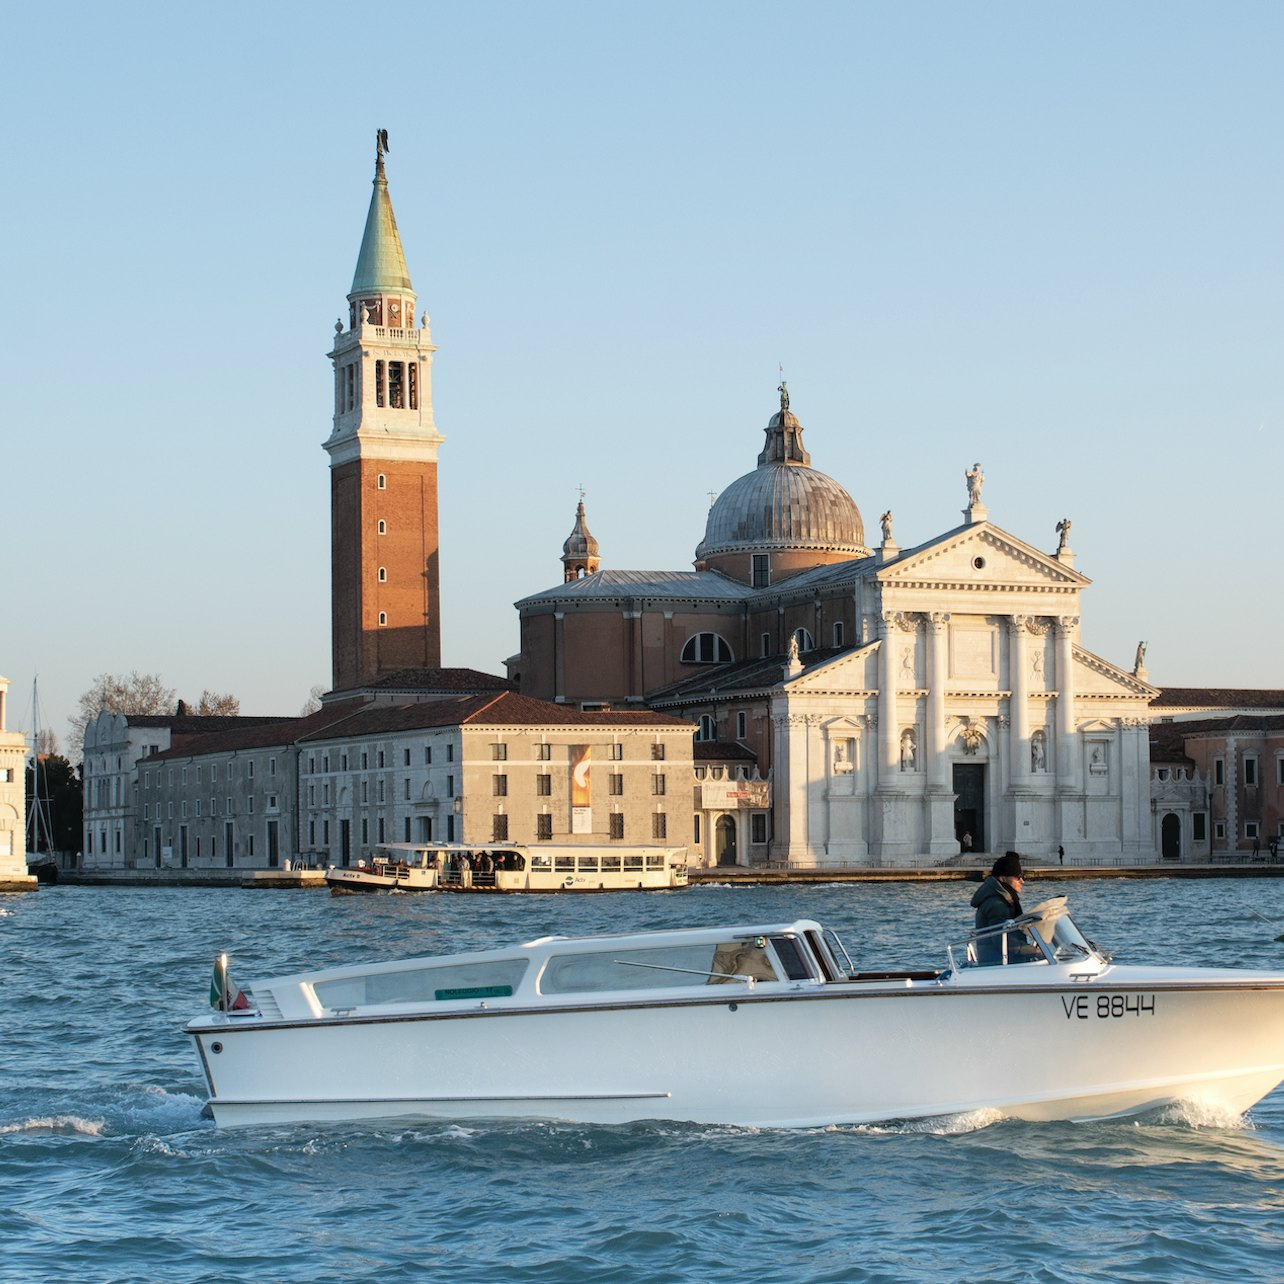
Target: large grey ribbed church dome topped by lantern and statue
point(784, 504)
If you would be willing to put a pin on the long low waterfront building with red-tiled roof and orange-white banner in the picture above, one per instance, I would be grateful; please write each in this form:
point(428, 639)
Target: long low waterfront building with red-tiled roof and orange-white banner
point(331, 788)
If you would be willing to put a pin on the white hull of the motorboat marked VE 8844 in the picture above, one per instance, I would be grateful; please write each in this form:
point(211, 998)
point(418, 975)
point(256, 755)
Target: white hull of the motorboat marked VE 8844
point(848, 1055)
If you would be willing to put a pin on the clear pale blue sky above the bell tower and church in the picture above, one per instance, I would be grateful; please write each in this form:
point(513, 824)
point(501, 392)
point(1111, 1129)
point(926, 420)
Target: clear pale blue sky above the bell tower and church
point(1043, 238)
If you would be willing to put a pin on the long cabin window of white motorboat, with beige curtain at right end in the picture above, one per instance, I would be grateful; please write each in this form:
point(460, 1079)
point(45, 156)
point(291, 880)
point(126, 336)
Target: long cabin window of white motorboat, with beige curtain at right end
point(664, 967)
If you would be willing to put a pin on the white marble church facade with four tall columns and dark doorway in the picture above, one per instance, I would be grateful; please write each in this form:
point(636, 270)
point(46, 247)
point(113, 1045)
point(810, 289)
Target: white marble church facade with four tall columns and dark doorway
point(970, 721)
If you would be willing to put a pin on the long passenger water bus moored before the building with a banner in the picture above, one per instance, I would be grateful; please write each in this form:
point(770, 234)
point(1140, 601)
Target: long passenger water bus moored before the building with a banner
point(512, 867)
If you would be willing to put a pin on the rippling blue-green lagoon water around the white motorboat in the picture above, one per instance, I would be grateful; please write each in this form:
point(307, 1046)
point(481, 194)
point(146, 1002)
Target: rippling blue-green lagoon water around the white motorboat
point(108, 1173)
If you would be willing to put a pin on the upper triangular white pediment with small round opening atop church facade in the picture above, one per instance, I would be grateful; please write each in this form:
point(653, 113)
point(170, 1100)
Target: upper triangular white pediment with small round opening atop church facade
point(1006, 563)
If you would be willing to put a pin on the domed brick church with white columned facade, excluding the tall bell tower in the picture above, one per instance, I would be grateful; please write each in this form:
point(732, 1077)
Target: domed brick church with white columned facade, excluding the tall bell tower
point(897, 704)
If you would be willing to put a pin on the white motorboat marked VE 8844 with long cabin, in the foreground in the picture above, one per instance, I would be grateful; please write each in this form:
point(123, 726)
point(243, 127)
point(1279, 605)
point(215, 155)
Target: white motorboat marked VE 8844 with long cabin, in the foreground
point(754, 1025)
